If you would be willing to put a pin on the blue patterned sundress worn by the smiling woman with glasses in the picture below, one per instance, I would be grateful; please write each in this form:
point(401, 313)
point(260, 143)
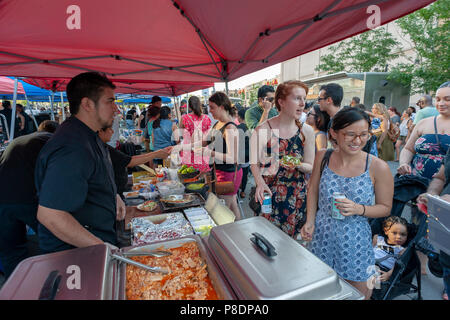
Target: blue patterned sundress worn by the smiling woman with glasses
point(345, 245)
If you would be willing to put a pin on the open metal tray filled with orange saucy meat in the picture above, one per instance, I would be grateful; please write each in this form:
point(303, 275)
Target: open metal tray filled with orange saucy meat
point(192, 274)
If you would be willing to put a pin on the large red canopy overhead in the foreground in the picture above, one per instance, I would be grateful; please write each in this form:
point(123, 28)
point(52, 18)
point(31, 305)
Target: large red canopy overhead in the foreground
point(190, 42)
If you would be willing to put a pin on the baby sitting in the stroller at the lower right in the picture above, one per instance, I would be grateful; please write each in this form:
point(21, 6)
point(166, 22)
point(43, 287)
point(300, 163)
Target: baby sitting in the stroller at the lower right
point(389, 247)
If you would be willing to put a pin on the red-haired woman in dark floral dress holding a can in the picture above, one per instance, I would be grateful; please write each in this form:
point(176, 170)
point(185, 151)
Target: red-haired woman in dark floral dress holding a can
point(279, 136)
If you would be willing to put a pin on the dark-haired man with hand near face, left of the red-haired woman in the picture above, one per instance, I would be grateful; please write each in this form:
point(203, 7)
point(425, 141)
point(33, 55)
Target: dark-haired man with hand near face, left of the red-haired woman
point(263, 109)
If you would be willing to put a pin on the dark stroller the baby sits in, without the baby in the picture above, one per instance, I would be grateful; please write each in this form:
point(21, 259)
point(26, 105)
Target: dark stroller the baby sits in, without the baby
point(407, 266)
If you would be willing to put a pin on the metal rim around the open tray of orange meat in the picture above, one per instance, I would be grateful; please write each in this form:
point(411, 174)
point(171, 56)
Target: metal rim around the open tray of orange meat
point(219, 283)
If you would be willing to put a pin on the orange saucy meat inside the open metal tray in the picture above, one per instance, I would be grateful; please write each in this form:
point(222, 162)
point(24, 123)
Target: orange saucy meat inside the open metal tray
point(187, 280)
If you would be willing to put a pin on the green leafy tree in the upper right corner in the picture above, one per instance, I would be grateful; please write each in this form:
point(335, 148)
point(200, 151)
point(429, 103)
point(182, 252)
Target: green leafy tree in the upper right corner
point(429, 32)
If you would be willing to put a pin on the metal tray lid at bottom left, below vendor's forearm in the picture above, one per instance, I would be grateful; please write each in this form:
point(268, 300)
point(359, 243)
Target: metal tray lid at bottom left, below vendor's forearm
point(85, 274)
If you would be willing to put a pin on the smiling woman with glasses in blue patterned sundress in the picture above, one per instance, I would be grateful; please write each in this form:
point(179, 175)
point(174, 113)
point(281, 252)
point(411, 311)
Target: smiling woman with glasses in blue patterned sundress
point(341, 236)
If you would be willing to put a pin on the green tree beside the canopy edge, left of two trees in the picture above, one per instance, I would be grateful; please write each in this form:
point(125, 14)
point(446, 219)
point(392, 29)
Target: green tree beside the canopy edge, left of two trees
point(367, 52)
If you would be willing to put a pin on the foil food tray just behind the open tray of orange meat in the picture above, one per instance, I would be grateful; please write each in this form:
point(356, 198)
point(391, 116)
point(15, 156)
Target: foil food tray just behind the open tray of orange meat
point(160, 227)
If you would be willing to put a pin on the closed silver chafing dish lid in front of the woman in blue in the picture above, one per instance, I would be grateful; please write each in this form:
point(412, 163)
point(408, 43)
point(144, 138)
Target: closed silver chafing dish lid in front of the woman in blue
point(283, 270)
